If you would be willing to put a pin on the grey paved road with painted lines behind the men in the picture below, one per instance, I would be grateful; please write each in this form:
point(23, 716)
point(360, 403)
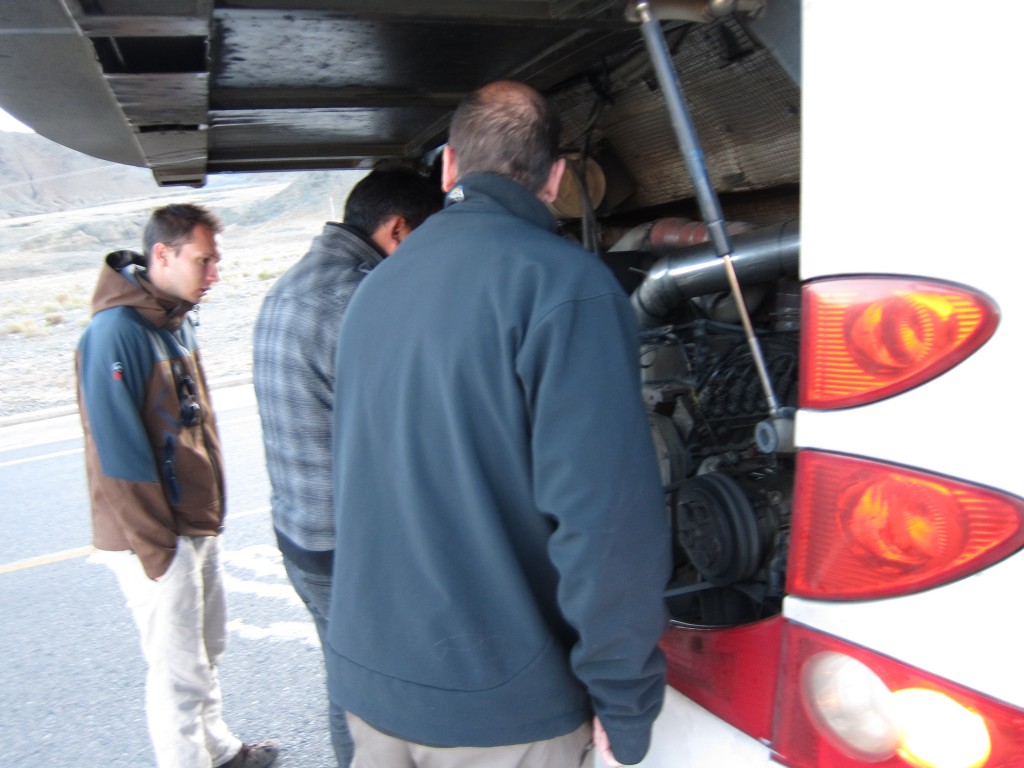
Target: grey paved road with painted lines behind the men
point(72, 687)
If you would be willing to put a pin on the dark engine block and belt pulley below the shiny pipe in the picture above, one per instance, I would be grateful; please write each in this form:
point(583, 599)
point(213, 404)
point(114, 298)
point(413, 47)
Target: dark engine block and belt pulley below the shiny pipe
point(729, 501)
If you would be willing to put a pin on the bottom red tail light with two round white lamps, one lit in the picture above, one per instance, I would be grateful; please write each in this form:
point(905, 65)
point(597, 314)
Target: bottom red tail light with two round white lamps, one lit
point(847, 707)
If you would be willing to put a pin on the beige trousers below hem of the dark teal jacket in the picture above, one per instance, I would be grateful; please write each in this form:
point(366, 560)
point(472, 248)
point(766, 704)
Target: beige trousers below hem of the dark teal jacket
point(376, 750)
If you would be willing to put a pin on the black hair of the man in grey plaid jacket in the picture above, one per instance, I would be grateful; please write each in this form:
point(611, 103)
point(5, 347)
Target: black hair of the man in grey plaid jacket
point(392, 192)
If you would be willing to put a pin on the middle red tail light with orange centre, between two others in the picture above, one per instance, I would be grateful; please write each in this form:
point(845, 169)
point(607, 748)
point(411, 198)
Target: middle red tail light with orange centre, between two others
point(868, 530)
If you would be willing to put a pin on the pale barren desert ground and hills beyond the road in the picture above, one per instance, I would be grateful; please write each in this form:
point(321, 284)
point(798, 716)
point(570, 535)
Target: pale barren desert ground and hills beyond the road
point(56, 232)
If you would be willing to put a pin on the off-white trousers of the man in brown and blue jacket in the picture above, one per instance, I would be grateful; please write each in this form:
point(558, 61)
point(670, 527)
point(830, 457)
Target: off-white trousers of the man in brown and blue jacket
point(182, 621)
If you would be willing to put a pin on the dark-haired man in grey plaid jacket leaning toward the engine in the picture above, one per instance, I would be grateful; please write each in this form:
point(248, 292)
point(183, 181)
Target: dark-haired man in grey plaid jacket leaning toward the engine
point(293, 373)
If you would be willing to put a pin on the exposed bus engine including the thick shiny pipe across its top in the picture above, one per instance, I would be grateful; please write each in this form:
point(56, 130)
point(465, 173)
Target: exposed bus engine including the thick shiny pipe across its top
point(729, 487)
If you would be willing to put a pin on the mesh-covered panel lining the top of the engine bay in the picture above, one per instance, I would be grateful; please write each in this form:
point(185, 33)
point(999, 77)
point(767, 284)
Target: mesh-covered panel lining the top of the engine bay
point(745, 108)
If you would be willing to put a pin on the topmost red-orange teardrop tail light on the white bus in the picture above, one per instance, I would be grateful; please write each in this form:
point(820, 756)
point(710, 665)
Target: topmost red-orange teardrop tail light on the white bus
point(868, 338)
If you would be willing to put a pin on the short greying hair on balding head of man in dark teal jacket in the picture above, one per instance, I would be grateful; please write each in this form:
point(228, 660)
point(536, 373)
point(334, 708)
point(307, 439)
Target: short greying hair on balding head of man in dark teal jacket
point(508, 129)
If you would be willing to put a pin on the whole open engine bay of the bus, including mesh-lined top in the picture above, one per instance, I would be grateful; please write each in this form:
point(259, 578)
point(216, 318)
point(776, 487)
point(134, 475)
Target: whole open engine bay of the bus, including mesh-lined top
point(729, 482)
